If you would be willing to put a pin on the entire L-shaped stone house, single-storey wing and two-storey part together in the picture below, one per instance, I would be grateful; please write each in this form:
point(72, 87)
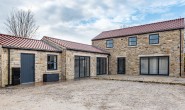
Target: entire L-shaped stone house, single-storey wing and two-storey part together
point(150, 49)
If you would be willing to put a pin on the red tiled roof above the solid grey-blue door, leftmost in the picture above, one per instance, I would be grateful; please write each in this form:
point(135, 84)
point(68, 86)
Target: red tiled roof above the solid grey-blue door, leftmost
point(9, 41)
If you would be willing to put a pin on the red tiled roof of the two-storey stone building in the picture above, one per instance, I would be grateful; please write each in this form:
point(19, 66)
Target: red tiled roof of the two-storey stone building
point(147, 28)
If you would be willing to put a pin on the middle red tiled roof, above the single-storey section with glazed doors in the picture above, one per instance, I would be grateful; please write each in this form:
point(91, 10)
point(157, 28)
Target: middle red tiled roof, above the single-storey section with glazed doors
point(74, 45)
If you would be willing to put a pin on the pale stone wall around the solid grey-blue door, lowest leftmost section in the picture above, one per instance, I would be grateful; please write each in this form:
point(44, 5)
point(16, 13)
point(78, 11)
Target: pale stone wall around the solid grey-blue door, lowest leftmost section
point(40, 63)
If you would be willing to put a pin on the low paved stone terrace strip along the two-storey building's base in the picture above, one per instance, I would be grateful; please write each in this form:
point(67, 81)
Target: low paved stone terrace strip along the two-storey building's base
point(144, 79)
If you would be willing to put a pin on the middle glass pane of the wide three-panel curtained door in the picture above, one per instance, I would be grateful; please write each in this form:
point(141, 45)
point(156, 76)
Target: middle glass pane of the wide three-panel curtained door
point(153, 65)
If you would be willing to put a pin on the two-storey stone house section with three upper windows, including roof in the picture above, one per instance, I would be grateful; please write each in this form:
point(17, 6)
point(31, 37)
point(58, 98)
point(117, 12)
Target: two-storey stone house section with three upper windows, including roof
point(150, 49)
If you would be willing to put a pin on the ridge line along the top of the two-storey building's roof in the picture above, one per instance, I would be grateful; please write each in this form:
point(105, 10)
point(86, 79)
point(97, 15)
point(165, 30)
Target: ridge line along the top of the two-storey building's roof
point(145, 24)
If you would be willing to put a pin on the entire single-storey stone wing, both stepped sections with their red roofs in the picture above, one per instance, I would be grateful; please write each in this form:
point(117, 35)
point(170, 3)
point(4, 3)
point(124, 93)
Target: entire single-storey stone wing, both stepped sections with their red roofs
point(28, 60)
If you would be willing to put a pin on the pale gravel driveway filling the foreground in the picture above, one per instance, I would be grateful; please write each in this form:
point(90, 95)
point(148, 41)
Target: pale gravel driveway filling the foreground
point(91, 94)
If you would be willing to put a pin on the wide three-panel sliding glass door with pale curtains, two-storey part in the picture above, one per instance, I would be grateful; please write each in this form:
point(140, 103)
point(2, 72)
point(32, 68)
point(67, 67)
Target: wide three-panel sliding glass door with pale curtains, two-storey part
point(154, 65)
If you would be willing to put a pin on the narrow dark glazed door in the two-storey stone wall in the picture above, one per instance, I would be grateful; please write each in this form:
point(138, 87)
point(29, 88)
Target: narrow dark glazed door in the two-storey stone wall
point(121, 65)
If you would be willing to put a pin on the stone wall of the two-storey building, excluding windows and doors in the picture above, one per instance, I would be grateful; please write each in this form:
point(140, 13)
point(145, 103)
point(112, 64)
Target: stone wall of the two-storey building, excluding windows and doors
point(169, 45)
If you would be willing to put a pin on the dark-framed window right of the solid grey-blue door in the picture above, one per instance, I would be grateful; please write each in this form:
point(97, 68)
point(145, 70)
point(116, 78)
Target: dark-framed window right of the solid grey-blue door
point(52, 62)
